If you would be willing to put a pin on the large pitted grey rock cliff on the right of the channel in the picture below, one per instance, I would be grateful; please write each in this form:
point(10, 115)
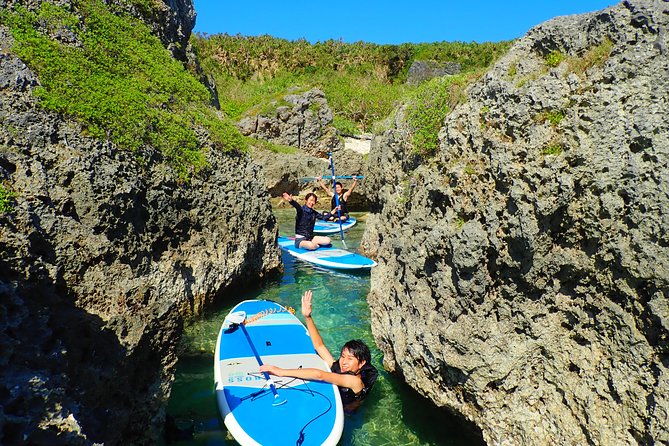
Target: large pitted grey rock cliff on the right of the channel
point(524, 268)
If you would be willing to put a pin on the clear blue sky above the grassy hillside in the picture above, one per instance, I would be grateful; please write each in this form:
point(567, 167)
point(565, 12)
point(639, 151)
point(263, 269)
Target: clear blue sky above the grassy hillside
point(385, 22)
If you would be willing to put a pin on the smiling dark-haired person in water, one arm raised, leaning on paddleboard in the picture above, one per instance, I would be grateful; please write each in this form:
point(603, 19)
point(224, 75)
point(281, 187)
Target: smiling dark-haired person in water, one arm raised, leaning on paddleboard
point(353, 372)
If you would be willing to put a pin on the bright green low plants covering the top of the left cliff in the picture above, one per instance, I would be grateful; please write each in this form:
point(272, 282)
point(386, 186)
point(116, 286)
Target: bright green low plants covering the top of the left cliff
point(120, 81)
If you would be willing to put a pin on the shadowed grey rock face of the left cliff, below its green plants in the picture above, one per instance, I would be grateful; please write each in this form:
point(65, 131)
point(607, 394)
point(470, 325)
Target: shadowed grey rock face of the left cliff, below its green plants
point(103, 256)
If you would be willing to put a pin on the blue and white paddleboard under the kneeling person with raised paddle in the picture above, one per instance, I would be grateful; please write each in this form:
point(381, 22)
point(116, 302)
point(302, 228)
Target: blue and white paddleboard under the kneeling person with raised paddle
point(329, 257)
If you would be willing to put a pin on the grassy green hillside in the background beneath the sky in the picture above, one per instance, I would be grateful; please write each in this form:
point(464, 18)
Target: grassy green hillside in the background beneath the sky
point(363, 82)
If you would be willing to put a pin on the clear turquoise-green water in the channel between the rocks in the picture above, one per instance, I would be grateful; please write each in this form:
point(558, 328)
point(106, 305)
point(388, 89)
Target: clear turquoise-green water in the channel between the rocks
point(392, 415)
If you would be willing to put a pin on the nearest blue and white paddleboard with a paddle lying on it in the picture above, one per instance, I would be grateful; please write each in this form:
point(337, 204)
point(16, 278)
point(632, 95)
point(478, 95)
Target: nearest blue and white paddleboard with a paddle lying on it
point(283, 410)
